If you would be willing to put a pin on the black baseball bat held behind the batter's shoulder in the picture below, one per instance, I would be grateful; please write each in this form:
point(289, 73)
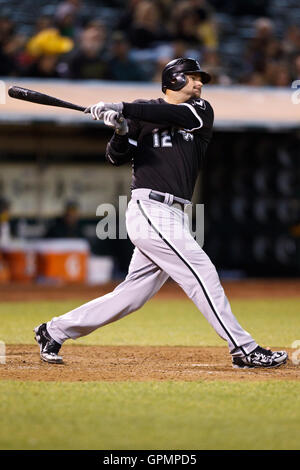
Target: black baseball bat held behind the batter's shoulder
point(41, 98)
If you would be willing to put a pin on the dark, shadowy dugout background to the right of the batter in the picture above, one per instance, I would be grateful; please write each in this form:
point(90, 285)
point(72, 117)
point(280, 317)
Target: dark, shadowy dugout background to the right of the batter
point(251, 195)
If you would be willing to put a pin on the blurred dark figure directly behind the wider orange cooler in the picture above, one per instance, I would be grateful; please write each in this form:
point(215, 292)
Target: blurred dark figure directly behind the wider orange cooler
point(66, 226)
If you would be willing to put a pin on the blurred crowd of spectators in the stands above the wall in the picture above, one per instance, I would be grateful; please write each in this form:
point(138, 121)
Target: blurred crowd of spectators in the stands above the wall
point(156, 32)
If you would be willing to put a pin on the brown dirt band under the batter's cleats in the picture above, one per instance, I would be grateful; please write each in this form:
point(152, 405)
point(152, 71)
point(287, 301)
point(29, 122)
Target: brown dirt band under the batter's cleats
point(135, 363)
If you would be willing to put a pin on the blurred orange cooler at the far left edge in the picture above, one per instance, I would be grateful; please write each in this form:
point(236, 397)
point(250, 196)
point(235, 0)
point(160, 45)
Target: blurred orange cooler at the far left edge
point(20, 259)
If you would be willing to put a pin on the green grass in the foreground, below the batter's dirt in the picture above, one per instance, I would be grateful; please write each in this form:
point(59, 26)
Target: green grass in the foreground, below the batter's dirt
point(165, 415)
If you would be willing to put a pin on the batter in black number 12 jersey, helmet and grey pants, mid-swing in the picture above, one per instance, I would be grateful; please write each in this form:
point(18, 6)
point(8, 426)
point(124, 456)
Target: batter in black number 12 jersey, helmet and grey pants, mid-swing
point(166, 140)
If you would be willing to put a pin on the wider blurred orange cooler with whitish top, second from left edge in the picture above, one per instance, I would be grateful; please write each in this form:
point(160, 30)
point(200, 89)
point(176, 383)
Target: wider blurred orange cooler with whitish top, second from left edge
point(62, 260)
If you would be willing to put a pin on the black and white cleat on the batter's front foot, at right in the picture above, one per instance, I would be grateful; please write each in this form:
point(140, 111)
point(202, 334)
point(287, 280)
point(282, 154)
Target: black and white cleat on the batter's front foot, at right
point(260, 357)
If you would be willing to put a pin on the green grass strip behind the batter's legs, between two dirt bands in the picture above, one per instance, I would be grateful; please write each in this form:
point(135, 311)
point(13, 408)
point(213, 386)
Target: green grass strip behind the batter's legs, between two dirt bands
point(170, 322)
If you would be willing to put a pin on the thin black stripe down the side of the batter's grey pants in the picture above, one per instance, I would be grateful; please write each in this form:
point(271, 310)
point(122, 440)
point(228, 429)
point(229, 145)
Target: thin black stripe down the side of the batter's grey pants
point(206, 294)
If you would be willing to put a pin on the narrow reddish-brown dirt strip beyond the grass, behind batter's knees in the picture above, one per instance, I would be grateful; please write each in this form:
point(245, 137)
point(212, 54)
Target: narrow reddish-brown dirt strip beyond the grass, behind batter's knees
point(279, 288)
